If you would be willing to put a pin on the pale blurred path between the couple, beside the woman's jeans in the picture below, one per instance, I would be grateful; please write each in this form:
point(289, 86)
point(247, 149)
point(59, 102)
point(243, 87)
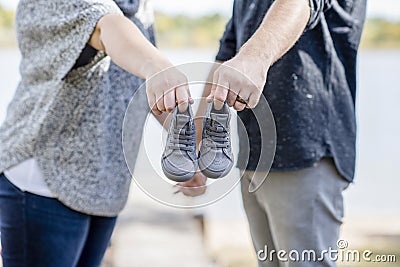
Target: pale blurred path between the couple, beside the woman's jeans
point(151, 234)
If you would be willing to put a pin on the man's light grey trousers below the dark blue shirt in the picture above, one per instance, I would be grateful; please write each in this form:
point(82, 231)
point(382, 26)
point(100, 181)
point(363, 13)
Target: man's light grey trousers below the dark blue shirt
point(298, 212)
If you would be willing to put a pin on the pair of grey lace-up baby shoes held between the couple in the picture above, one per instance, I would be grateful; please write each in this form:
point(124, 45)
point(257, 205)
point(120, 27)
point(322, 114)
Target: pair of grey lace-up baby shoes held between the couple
point(179, 160)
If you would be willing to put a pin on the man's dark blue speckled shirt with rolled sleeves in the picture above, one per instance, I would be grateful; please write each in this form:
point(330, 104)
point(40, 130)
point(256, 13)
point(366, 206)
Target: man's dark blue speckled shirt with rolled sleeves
point(311, 90)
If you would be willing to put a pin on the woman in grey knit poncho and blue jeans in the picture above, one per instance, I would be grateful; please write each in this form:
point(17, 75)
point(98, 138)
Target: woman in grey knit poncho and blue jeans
point(63, 178)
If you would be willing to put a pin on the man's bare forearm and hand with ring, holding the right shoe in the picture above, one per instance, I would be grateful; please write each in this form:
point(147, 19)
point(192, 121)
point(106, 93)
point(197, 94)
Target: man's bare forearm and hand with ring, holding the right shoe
point(282, 26)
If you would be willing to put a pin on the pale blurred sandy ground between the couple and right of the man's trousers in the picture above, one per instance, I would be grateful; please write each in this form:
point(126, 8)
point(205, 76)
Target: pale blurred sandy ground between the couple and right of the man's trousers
point(151, 234)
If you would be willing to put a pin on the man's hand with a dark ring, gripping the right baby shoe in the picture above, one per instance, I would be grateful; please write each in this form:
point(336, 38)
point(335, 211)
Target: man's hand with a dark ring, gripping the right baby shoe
point(243, 76)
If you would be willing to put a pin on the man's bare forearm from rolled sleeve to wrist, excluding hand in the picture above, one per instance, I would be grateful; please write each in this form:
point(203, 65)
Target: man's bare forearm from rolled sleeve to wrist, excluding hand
point(281, 28)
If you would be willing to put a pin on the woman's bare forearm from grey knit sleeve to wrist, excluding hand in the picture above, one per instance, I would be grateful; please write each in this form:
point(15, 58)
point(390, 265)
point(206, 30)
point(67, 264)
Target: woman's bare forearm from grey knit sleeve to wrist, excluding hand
point(127, 47)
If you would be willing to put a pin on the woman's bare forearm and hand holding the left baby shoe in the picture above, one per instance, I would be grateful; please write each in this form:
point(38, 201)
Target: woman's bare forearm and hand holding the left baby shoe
point(128, 48)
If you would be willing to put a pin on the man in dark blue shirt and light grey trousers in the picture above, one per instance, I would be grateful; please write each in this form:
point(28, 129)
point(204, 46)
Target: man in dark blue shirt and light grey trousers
point(301, 55)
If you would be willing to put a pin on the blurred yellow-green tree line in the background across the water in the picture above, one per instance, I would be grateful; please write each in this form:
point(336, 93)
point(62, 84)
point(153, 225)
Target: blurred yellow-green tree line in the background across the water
point(204, 32)
